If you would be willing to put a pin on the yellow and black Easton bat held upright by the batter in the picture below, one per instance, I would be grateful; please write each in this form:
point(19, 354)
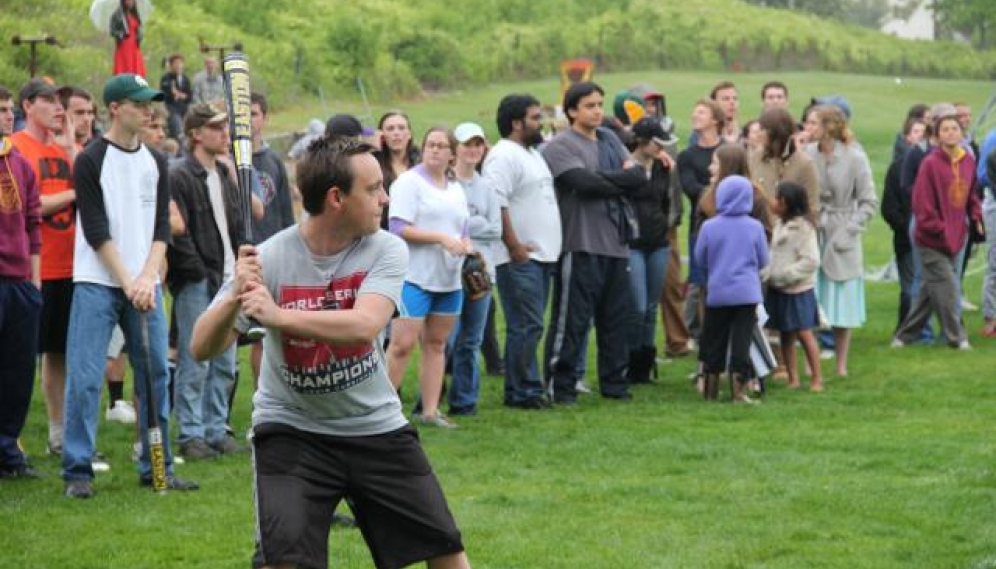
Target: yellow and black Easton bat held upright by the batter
point(235, 70)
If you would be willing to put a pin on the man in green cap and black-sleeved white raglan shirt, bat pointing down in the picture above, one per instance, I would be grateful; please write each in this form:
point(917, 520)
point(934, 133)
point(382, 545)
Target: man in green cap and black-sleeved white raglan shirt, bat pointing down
point(122, 192)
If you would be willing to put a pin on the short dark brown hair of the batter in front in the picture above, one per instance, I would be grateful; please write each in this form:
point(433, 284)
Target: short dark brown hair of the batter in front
point(326, 164)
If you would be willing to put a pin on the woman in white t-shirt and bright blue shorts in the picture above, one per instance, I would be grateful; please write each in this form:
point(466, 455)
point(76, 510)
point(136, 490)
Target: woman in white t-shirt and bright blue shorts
point(429, 211)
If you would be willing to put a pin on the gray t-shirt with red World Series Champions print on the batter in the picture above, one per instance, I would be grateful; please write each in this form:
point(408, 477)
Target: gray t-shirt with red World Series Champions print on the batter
point(340, 390)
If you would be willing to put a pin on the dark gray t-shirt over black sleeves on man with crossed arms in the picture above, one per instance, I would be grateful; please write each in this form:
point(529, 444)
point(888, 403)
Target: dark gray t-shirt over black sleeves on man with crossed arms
point(588, 227)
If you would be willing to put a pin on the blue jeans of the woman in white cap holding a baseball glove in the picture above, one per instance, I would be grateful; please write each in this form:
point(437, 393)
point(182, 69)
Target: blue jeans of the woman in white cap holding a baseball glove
point(465, 345)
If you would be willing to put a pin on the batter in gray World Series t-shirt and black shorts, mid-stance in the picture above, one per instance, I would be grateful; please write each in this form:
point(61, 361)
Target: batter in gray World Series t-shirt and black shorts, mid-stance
point(327, 423)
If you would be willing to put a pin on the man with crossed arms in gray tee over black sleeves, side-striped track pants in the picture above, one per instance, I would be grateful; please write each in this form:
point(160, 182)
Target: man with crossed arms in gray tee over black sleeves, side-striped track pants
point(589, 164)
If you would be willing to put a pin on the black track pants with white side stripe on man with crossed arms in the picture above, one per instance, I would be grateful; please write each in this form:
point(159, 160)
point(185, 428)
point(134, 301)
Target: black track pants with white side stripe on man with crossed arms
point(587, 286)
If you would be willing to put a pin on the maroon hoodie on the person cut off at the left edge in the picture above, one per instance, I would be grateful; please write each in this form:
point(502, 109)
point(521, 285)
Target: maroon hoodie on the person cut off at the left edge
point(20, 214)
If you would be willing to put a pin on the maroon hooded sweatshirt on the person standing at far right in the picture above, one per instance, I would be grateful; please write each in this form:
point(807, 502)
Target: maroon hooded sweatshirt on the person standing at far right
point(944, 202)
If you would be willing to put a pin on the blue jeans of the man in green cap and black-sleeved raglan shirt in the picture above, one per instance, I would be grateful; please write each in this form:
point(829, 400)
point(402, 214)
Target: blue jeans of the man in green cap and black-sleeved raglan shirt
point(96, 309)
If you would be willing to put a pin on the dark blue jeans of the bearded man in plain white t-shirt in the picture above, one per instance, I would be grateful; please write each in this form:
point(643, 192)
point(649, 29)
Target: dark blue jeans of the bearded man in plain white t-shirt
point(524, 289)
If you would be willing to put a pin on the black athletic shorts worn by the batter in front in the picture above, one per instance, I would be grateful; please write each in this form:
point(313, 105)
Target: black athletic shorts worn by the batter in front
point(300, 477)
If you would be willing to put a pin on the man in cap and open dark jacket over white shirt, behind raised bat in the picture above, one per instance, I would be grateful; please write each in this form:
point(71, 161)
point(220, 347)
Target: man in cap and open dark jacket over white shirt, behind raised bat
point(201, 259)
